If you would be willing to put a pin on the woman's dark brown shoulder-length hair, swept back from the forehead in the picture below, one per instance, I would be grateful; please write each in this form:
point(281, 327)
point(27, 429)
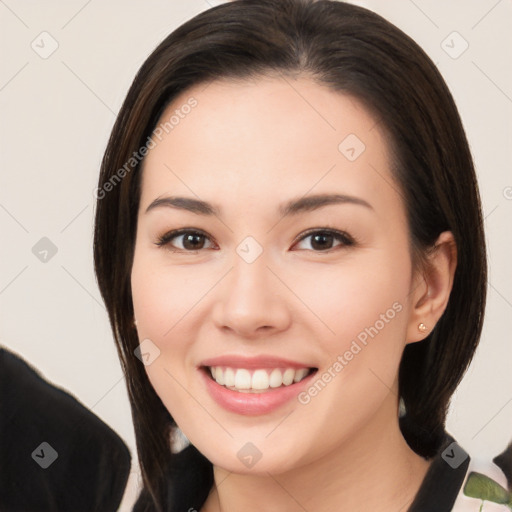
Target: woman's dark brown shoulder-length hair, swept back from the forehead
point(348, 49)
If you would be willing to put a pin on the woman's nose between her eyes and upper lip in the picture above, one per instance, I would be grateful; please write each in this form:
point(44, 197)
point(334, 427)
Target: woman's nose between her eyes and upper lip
point(252, 300)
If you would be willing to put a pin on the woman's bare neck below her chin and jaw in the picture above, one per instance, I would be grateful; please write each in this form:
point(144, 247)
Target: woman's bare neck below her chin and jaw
point(375, 468)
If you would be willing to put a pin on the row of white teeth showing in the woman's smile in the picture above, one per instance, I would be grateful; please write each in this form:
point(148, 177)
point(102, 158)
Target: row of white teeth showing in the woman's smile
point(259, 380)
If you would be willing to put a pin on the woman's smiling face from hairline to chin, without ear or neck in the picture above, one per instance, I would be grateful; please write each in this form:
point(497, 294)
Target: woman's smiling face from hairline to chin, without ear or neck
point(265, 282)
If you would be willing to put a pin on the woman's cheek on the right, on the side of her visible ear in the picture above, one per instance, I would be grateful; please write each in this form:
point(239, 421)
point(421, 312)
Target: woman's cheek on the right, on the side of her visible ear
point(365, 307)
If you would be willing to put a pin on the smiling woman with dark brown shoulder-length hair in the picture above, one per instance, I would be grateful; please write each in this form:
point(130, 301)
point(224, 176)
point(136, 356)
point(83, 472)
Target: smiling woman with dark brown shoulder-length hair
point(289, 243)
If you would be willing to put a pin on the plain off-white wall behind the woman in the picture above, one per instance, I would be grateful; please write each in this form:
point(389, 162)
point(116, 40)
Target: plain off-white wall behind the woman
point(56, 115)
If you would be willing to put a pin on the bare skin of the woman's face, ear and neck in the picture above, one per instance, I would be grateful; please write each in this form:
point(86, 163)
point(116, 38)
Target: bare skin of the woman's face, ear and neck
point(248, 146)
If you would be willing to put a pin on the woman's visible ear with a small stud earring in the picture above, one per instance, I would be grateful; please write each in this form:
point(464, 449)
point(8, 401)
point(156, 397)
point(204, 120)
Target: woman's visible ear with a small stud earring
point(431, 287)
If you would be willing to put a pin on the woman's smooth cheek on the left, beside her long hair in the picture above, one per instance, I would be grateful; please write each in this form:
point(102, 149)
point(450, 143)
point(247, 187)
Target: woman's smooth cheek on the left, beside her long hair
point(167, 303)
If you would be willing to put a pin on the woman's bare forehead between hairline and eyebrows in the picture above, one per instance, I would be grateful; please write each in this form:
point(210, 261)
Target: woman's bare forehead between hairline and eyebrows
point(265, 137)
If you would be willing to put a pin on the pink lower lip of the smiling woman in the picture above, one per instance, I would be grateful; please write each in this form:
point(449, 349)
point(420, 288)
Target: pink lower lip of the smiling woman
point(252, 404)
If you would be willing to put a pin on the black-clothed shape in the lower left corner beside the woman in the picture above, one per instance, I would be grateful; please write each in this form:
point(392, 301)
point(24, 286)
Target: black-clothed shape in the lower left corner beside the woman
point(55, 454)
